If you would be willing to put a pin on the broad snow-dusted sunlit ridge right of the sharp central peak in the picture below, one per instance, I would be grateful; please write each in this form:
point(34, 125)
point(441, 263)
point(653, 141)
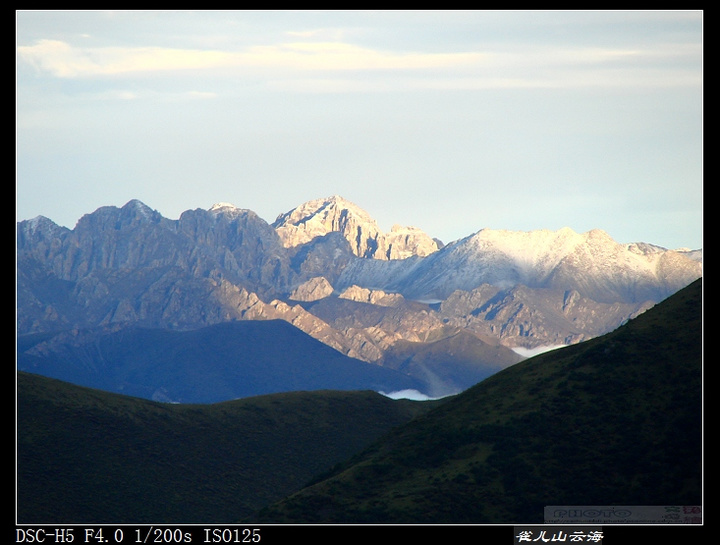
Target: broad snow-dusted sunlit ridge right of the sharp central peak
point(591, 263)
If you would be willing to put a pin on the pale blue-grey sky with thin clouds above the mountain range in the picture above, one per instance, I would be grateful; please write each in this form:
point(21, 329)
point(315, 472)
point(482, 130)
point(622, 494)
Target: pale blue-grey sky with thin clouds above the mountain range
point(449, 121)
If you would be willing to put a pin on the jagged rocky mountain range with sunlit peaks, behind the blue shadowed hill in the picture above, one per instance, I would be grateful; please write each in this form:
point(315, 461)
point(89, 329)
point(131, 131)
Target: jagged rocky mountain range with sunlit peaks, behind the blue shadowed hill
point(326, 268)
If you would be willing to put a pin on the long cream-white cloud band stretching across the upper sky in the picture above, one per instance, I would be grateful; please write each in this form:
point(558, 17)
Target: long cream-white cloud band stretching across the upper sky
point(544, 66)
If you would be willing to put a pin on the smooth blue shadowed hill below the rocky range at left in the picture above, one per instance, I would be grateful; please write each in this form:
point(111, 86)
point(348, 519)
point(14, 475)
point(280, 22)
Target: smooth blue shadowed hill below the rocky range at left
point(206, 365)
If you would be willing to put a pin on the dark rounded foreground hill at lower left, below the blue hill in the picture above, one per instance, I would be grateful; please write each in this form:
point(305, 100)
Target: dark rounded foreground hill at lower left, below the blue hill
point(87, 456)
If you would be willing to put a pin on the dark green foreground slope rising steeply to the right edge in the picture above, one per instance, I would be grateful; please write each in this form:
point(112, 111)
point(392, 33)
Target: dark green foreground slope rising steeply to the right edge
point(616, 420)
